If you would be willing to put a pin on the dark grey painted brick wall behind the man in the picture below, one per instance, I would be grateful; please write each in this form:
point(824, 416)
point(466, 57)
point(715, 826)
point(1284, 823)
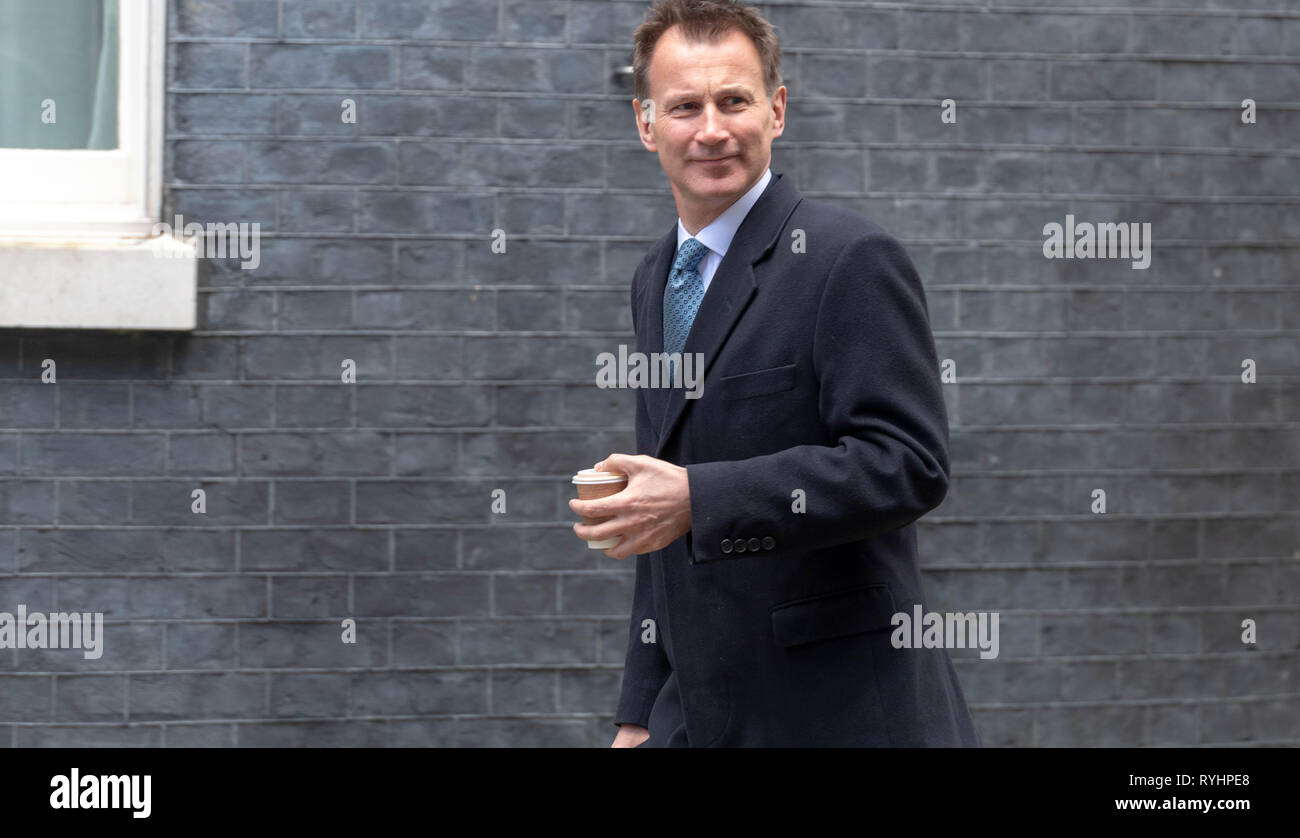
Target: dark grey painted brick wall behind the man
point(372, 501)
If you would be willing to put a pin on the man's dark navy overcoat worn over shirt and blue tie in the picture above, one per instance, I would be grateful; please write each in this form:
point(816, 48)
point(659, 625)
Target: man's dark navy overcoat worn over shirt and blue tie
point(821, 383)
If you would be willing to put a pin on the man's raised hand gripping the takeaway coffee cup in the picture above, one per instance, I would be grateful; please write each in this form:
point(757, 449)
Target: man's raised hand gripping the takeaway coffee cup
point(651, 514)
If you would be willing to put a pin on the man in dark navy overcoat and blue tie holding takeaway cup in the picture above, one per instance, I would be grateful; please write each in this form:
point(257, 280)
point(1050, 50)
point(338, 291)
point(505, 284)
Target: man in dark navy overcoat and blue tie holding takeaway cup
point(773, 516)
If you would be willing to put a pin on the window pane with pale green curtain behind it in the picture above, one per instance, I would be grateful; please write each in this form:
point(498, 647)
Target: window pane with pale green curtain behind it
point(59, 75)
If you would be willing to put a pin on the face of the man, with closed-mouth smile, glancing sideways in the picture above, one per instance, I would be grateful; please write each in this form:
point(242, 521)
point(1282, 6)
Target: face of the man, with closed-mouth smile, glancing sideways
point(713, 123)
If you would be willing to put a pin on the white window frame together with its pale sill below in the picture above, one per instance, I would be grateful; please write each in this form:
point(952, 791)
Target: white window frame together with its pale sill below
point(77, 244)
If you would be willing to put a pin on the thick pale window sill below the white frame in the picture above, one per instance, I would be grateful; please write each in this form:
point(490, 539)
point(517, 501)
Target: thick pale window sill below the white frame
point(148, 284)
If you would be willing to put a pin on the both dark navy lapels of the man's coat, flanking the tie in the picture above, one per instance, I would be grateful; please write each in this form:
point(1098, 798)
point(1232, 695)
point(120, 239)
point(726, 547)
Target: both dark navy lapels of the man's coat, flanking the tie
point(730, 293)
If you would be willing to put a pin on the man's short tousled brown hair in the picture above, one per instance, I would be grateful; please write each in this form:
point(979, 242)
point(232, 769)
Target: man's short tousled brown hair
point(704, 20)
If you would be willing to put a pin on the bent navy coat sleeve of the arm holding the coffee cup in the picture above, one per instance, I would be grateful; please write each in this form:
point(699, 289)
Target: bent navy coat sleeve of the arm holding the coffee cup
point(879, 397)
